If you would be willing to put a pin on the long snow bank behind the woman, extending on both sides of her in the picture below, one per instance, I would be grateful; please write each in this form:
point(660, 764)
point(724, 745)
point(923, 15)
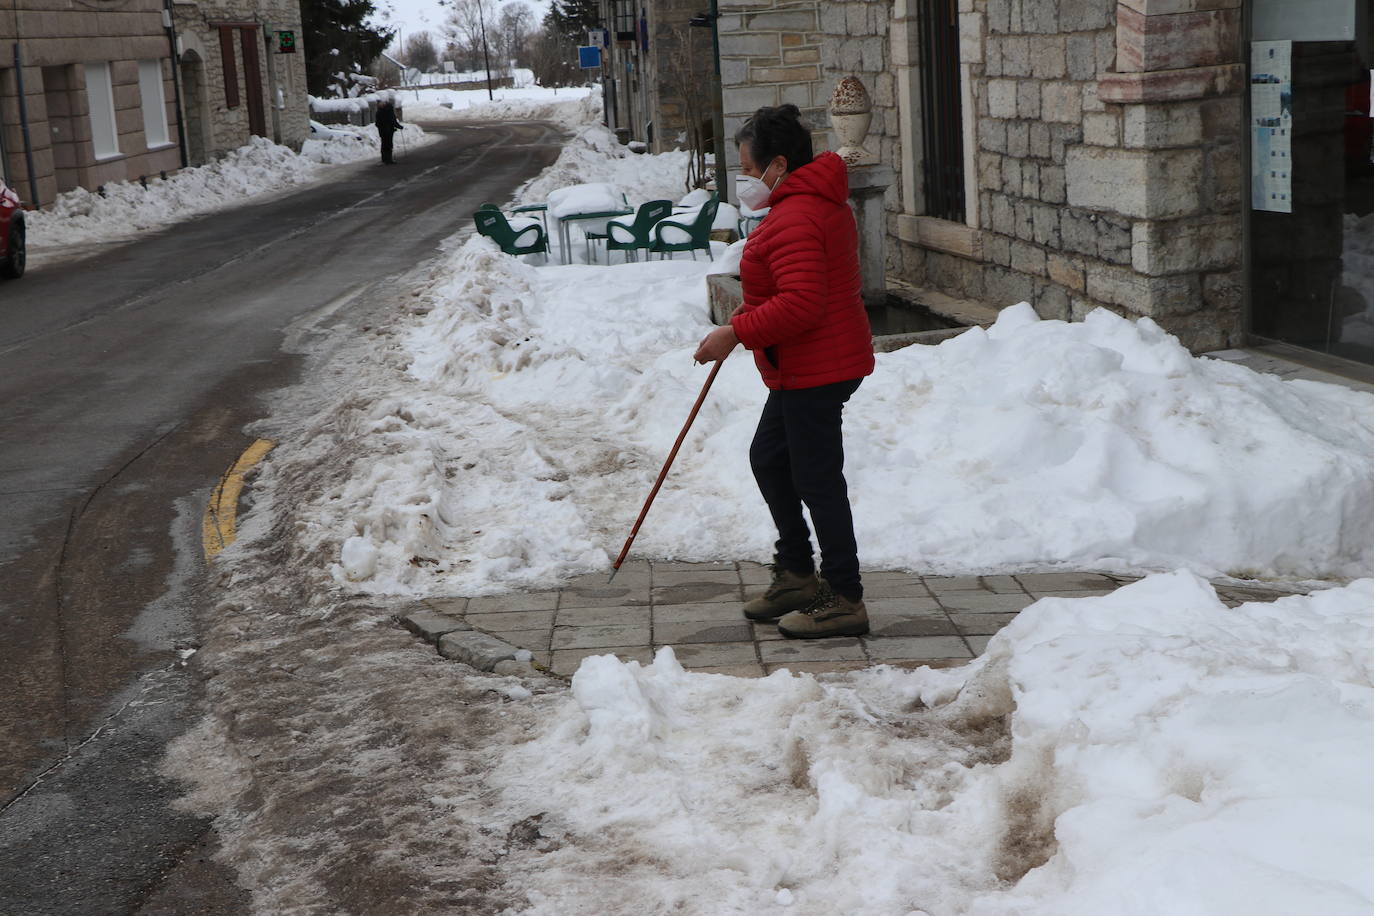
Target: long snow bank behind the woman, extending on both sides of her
point(542, 402)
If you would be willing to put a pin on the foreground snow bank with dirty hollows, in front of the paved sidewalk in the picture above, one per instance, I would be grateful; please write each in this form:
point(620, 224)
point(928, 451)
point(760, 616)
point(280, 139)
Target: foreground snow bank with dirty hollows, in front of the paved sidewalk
point(1149, 752)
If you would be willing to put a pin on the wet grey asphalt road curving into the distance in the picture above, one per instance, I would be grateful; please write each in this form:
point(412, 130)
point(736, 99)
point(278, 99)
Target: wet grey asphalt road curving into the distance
point(127, 381)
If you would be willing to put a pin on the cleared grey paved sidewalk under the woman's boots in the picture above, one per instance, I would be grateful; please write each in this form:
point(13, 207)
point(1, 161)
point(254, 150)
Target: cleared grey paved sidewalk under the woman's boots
point(696, 608)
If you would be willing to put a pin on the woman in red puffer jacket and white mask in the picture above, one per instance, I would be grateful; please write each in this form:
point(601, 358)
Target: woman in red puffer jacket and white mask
point(806, 323)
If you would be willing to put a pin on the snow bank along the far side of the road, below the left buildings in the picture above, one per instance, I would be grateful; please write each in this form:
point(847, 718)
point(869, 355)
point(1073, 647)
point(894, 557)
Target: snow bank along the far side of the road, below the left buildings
point(127, 208)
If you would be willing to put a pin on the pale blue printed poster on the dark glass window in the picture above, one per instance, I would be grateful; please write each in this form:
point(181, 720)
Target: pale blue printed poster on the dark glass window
point(1272, 126)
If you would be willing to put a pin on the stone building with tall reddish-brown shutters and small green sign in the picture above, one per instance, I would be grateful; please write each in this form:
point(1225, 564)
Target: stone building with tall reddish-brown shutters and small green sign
point(237, 82)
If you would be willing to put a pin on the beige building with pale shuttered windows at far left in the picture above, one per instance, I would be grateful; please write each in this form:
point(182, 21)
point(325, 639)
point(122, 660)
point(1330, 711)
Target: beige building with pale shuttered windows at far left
point(98, 104)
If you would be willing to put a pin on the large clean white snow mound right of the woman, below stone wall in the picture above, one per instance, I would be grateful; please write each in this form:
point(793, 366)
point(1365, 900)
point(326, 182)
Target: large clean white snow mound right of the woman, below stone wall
point(1105, 444)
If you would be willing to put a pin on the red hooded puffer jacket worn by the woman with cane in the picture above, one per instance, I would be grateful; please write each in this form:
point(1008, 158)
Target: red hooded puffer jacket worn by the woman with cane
point(803, 317)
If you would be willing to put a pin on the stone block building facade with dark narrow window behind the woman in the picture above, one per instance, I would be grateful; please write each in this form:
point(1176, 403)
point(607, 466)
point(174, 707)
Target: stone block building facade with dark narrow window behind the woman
point(1089, 153)
